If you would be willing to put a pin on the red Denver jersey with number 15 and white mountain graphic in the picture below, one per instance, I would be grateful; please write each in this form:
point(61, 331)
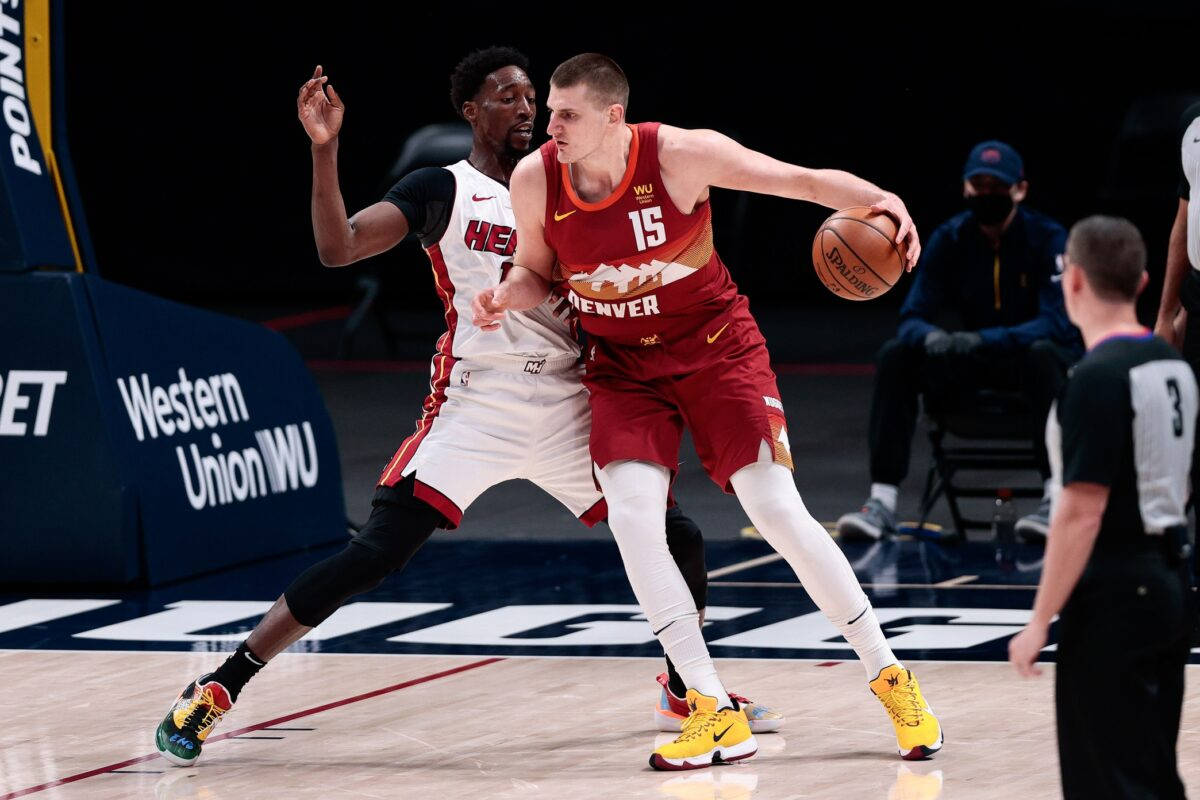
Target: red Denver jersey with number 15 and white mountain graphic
point(639, 270)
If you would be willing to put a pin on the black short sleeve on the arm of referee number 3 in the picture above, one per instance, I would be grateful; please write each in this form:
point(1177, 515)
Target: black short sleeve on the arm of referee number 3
point(1097, 423)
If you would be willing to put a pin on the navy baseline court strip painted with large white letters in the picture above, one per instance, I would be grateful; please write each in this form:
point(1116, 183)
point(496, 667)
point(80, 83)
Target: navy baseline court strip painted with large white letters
point(560, 599)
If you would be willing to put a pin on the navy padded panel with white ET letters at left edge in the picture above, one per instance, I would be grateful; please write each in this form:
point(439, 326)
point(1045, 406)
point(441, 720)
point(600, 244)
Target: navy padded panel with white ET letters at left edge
point(64, 513)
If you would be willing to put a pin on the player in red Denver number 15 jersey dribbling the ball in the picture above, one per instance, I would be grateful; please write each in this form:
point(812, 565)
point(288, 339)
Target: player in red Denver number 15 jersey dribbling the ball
point(616, 219)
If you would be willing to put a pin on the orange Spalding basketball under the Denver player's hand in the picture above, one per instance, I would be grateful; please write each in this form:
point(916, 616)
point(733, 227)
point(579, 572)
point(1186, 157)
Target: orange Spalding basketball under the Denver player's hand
point(855, 254)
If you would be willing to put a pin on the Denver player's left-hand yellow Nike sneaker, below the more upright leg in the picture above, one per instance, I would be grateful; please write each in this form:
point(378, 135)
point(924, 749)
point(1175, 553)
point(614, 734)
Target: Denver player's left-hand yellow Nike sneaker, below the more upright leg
point(709, 736)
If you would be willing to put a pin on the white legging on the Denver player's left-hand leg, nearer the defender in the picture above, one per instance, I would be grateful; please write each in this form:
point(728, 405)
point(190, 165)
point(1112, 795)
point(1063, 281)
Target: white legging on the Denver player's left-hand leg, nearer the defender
point(637, 494)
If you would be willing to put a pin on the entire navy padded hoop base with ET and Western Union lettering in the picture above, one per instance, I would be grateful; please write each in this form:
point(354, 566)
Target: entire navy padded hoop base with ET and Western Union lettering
point(143, 438)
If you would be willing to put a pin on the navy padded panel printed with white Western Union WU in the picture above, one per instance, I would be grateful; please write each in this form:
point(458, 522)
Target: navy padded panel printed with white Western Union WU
point(221, 429)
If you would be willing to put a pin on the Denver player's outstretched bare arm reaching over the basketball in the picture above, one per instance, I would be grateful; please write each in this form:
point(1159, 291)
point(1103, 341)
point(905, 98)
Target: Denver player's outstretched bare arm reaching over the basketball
point(701, 159)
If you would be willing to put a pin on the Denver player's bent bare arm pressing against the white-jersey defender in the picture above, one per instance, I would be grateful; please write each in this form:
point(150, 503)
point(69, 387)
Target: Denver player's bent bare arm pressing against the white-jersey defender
point(527, 282)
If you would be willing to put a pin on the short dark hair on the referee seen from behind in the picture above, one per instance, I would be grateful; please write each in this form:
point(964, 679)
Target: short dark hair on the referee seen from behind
point(1112, 254)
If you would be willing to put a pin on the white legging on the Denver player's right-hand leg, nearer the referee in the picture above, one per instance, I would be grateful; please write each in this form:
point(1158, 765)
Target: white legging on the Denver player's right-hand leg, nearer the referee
point(770, 498)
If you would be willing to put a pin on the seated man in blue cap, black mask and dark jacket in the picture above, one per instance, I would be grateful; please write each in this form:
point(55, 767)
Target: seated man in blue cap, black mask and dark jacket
point(998, 266)
